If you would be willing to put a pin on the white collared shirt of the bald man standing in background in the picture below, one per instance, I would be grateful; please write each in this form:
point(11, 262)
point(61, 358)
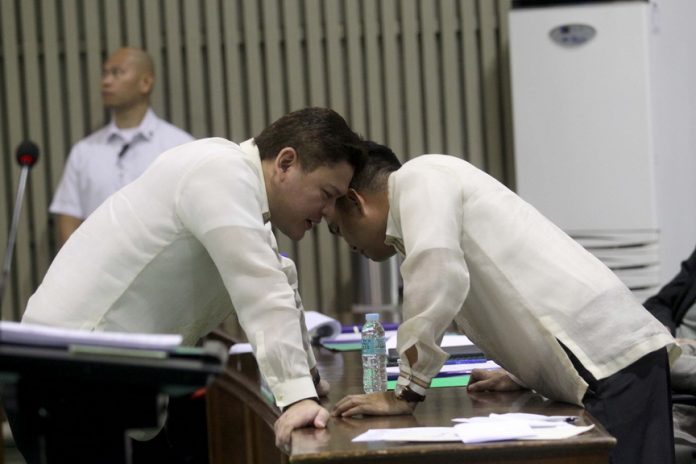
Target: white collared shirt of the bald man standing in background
point(95, 170)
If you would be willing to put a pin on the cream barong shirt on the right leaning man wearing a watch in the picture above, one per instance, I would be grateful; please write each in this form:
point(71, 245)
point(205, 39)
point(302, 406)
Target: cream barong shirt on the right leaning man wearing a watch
point(476, 253)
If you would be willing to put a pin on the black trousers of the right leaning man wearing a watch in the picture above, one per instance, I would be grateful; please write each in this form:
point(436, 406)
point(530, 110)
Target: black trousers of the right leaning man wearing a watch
point(635, 406)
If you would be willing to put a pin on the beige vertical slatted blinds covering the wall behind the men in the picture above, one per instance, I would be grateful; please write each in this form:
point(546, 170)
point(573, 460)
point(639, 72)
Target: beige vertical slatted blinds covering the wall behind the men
point(423, 76)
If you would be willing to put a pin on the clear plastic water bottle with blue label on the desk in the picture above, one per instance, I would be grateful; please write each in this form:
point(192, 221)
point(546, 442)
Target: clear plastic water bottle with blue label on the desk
point(374, 355)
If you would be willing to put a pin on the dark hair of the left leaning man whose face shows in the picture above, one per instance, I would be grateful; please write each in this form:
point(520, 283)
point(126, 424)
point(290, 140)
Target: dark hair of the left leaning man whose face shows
point(320, 136)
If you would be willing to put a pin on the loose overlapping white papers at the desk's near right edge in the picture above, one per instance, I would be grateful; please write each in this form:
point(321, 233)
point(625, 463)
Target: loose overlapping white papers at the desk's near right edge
point(496, 427)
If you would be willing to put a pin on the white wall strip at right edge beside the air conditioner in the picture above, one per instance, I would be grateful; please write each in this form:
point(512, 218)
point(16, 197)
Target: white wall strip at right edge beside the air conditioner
point(674, 109)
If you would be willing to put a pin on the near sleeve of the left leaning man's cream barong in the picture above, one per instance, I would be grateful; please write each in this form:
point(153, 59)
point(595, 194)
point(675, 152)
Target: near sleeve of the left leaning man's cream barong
point(220, 203)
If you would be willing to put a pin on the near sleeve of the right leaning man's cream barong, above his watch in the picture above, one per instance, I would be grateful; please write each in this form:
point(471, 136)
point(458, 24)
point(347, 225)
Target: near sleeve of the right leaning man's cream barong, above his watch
point(436, 278)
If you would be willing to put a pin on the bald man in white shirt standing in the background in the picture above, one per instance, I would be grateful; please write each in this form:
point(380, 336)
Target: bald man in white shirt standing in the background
point(118, 153)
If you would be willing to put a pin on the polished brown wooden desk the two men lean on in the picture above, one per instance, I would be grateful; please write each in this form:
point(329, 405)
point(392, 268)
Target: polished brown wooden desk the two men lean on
point(241, 424)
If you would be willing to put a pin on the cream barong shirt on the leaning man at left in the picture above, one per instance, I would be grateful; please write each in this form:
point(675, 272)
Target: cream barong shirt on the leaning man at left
point(176, 251)
